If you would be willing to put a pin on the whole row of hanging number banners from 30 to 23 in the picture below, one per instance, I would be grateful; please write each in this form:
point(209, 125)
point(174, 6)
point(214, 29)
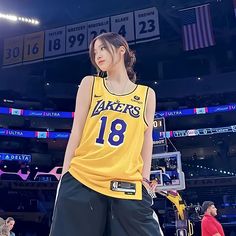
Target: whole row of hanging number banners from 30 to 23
point(138, 26)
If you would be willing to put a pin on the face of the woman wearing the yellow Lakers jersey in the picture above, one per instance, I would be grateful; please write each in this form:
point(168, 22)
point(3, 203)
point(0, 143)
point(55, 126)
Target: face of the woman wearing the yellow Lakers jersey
point(103, 58)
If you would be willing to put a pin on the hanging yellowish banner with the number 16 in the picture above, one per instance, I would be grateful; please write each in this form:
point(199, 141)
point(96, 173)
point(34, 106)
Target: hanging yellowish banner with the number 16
point(33, 46)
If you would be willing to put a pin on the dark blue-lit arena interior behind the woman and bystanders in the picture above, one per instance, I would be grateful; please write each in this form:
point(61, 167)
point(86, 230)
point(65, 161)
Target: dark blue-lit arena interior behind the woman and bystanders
point(186, 52)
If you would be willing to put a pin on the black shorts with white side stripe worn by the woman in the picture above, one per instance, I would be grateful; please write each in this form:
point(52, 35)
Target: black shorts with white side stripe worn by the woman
point(80, 211)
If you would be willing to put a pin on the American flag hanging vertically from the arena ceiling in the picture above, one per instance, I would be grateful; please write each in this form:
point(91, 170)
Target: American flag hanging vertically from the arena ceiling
point(197, 28)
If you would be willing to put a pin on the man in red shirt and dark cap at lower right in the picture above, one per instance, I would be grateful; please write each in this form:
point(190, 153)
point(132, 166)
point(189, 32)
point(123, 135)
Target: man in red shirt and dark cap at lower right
point(210, 225)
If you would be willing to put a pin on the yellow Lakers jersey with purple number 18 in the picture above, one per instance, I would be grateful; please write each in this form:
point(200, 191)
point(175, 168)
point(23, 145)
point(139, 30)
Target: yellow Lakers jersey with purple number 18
point(108, 158)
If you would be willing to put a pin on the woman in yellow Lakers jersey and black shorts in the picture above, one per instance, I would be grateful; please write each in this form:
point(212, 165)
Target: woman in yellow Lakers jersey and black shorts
point(105, 183)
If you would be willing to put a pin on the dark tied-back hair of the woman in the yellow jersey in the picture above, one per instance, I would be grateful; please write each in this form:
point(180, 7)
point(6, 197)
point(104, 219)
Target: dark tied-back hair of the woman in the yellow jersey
point(117, 41)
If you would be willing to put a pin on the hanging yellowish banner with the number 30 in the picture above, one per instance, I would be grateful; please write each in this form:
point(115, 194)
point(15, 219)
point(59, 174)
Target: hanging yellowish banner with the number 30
point(13, 50)
